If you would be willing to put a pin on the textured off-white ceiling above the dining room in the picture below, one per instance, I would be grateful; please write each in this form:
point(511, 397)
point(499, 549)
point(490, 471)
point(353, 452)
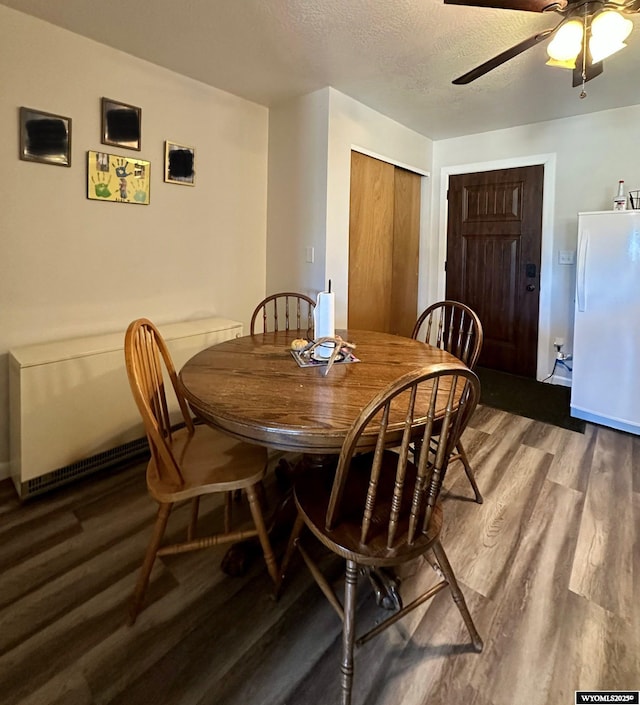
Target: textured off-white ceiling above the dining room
point(396, 56)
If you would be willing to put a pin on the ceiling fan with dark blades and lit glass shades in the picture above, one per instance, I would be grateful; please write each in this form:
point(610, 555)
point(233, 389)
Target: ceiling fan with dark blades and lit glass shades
point(590, 31)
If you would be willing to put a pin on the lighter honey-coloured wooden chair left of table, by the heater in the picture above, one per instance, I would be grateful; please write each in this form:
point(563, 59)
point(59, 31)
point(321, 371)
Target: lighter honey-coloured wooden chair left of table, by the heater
point(187, 460)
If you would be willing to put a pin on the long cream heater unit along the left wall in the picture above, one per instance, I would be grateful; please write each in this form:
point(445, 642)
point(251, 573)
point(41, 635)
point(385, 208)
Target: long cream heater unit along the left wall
point(71, 408)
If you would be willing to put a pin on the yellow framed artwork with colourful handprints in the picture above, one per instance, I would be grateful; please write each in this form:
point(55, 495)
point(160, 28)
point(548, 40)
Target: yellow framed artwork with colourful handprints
point(111, 177)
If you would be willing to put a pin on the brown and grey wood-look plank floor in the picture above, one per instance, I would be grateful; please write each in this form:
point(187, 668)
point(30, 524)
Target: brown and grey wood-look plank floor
point(549, 565)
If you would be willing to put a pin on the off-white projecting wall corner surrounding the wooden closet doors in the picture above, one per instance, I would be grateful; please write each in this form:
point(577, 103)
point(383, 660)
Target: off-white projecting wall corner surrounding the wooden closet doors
point(310, 143)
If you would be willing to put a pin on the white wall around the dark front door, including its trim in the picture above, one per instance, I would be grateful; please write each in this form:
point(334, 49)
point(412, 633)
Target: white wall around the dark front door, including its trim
point(588, 155)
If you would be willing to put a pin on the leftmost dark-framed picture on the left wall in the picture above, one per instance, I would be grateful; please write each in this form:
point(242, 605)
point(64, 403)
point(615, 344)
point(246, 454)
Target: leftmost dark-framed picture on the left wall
point(44, 137)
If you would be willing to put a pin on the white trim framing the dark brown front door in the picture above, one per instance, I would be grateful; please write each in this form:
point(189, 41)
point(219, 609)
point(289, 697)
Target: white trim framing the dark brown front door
point(546, 255)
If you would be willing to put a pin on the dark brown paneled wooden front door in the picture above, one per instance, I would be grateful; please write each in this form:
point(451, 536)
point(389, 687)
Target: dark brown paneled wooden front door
point(494, 239)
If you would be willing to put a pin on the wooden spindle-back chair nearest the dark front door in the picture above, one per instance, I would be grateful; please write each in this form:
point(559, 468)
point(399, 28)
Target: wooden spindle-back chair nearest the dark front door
point(456, 328)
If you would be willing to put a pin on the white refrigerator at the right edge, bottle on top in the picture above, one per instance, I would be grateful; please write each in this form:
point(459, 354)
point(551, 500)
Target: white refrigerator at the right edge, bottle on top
point(605, 384)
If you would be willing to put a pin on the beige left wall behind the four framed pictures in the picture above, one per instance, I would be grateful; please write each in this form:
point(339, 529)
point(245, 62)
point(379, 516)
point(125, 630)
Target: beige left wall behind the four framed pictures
point(70, 266)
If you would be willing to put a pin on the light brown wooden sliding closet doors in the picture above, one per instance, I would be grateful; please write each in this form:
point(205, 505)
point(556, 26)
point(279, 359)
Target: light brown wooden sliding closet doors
point(384, 241)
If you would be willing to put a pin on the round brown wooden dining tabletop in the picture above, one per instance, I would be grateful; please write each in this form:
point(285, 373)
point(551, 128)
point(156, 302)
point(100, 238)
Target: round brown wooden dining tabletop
point(253, 389)
